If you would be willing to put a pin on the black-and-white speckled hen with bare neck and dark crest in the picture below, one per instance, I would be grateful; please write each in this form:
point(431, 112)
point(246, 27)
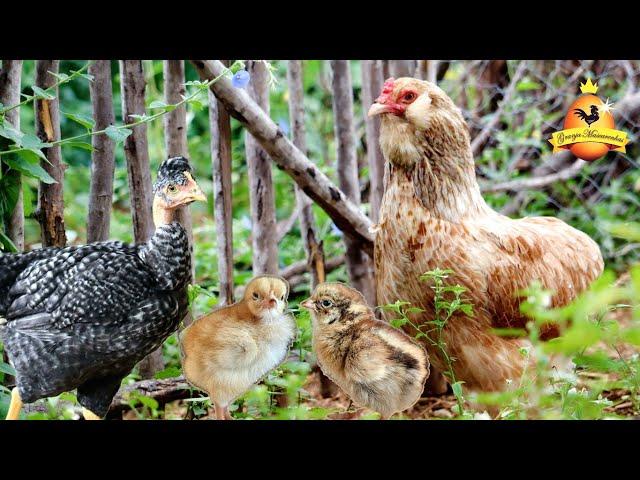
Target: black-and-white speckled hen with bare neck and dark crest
point(81, 317)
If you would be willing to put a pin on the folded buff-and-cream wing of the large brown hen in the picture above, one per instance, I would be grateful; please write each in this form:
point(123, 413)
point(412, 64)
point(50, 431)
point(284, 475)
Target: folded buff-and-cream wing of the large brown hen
point(562, 258)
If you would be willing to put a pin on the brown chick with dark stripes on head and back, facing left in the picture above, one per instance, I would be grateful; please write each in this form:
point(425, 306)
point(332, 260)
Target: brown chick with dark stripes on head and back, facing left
point(378, 366)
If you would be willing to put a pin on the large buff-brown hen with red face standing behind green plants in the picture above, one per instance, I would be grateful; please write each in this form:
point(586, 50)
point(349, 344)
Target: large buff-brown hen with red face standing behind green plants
point(433, 216)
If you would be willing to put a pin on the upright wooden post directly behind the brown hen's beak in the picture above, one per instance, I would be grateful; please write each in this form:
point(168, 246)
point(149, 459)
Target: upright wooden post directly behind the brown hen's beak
point(372, 87)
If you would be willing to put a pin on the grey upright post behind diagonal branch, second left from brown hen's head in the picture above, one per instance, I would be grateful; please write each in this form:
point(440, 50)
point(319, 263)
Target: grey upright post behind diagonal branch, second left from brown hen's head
point(358, 264)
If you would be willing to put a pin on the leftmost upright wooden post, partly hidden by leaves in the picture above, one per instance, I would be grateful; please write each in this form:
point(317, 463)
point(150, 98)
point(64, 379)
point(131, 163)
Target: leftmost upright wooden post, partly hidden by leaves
point(10, 75)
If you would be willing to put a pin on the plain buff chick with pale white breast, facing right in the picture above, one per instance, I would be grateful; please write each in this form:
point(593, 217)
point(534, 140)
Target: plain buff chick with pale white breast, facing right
point(232, 348)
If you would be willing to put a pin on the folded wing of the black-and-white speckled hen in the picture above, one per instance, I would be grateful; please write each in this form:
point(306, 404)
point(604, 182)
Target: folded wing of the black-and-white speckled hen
point(96, 301)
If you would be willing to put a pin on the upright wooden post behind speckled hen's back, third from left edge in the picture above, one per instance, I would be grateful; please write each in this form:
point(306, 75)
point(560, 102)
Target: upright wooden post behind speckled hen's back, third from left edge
point(103, 155)
